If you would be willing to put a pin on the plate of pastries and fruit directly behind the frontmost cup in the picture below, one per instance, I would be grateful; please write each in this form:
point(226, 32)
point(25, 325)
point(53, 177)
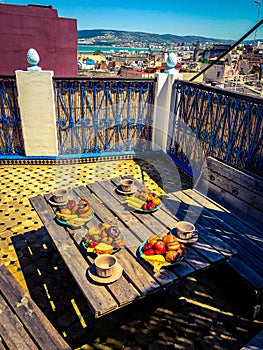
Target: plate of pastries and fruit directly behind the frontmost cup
point(103, 239)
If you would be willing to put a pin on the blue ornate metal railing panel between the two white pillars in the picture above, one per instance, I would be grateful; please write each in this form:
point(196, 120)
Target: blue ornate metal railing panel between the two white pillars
point(104, 115)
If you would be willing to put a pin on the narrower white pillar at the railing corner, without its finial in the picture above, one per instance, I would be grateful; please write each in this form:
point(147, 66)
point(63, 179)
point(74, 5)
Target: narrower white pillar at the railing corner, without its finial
point(162, 105)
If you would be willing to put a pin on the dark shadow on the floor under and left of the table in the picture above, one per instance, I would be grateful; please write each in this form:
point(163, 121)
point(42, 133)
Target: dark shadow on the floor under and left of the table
point(195, 314)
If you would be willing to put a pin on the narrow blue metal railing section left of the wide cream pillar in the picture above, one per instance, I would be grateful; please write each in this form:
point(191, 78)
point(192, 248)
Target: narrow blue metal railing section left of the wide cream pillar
point(11, 141)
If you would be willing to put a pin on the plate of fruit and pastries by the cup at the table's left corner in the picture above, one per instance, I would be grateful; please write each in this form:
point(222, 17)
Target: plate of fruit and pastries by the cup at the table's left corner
point(75, 214)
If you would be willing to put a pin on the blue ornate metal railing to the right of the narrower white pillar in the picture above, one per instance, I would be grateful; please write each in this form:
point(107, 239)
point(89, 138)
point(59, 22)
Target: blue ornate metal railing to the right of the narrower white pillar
point(220, 123)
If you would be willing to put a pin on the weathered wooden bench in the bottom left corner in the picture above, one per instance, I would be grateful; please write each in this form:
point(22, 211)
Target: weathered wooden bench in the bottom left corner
point(23, 325)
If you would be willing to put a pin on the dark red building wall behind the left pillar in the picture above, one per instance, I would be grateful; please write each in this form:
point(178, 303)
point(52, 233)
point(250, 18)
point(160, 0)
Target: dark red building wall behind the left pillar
point(38, 27)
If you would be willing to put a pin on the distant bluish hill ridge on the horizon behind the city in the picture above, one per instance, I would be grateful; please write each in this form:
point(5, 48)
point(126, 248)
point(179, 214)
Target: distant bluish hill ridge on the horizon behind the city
point(120, 37)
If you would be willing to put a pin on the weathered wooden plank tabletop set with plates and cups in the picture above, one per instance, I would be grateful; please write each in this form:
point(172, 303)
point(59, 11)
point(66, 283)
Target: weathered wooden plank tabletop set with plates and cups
point(138, 279)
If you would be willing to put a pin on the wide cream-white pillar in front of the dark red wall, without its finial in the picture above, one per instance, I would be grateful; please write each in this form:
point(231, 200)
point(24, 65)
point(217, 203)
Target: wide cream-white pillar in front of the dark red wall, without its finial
point(38, 115)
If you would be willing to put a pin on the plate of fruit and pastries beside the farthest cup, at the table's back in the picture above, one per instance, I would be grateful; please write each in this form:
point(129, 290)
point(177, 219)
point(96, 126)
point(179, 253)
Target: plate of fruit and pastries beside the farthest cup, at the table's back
point(145, 201)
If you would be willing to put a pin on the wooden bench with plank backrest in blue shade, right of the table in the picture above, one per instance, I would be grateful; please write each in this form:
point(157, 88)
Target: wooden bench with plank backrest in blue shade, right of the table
point(241, 195)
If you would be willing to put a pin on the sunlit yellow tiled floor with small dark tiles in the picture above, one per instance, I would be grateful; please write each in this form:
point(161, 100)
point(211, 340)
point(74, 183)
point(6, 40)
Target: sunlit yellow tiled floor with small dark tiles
point(19, 183)
